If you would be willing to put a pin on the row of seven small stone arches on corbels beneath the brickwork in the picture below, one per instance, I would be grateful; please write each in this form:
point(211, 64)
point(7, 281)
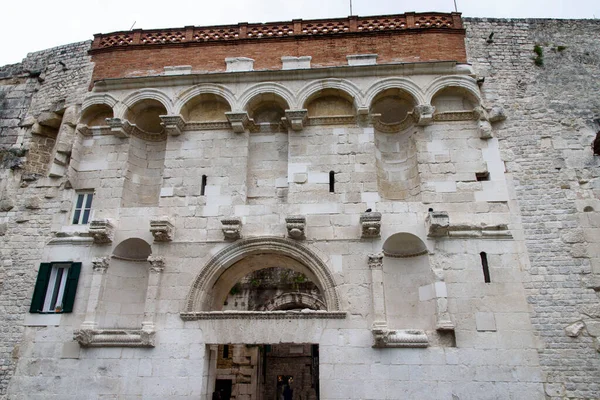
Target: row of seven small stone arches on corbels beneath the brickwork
point(390, 105)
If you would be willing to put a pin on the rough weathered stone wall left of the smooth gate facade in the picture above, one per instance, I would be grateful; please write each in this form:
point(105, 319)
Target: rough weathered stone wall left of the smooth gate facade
point(39, 83)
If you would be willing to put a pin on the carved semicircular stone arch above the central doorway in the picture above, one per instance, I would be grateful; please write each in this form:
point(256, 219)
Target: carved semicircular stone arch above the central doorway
point(205, 287)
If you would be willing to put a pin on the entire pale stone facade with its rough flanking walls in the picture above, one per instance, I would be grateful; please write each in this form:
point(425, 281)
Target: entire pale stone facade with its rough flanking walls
point(443, 214)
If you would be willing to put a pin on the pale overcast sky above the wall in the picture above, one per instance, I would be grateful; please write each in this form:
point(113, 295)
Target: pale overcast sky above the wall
point(40, 24)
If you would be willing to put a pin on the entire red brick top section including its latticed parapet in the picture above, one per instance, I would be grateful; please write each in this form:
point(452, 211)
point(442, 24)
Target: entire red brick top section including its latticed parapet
point(407, 37)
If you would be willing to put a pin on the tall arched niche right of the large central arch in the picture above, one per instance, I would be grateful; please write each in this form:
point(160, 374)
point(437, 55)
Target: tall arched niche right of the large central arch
point(407, 274)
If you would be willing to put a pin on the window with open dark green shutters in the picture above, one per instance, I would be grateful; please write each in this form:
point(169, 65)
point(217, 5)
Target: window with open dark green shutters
point(55, 287)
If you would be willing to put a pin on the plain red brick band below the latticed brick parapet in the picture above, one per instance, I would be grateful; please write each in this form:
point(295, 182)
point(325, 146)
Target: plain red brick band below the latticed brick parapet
point(430, 45)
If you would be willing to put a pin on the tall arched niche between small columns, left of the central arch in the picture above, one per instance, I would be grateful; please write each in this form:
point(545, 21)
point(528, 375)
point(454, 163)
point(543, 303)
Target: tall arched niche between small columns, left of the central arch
point(124, 294)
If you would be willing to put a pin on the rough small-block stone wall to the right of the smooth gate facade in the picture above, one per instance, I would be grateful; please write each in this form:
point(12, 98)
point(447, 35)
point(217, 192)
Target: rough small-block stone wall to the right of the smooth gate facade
point(546, 145)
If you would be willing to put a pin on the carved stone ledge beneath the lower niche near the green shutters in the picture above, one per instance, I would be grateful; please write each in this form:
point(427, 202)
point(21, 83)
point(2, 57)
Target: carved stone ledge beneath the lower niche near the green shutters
point(114, 337)
